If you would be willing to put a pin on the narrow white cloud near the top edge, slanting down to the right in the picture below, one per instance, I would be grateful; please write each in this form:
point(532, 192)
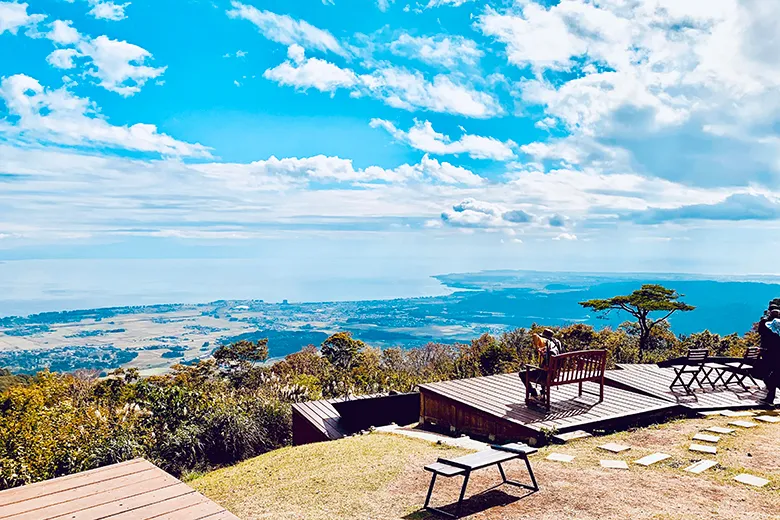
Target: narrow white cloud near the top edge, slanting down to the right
point(286, 30)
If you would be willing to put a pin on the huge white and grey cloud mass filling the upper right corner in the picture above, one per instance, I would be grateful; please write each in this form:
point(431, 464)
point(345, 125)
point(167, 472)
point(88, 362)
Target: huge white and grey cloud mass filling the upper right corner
point(697, 80)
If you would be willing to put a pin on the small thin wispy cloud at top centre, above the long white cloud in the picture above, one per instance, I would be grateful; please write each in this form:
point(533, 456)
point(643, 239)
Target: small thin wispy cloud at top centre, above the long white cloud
point(441, 50)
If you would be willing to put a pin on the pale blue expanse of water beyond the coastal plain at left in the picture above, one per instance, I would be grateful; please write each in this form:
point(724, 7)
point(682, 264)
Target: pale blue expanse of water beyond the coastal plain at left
point(31, 286)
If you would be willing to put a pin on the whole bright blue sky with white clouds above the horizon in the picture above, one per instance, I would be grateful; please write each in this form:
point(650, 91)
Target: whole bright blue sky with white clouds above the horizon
point(389, 138)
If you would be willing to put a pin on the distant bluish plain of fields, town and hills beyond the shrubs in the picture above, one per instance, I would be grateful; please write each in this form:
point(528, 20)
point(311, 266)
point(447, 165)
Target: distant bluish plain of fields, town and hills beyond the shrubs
point(153, 338)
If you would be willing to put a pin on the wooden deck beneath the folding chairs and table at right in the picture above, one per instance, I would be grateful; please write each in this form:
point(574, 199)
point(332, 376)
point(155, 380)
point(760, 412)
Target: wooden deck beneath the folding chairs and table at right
point(653, 380)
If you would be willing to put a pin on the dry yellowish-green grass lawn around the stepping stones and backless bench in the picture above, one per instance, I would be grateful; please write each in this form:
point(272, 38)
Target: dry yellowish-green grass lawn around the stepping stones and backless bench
point(380, 476)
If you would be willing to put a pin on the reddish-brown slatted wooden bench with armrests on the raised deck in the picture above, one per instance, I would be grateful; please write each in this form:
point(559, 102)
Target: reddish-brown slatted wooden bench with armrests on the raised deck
point(564, 369)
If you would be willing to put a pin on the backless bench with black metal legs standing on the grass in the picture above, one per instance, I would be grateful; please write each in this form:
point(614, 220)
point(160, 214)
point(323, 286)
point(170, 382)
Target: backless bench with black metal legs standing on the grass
point(463, 466)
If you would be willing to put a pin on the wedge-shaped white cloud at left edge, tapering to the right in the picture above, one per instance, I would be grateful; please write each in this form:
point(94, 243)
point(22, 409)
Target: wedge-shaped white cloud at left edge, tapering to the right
point(57, 116)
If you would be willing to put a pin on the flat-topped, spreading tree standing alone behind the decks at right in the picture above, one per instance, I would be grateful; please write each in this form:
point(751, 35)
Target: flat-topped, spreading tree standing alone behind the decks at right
point(640, 304)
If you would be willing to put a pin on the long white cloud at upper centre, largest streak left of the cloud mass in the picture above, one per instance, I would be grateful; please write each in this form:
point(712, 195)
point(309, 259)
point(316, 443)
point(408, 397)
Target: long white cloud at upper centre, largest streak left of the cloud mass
point(397, 87)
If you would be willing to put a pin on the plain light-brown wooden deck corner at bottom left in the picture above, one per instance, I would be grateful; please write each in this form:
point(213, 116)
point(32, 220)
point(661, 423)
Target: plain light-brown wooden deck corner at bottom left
point(133, 490)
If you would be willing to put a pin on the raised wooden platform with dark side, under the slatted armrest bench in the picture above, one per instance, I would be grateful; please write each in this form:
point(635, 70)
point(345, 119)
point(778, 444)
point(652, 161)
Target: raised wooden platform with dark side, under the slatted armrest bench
point(494, 407)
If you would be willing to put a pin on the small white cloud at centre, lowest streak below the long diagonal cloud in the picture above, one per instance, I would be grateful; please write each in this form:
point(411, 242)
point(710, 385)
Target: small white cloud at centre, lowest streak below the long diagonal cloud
point(423, 137)
